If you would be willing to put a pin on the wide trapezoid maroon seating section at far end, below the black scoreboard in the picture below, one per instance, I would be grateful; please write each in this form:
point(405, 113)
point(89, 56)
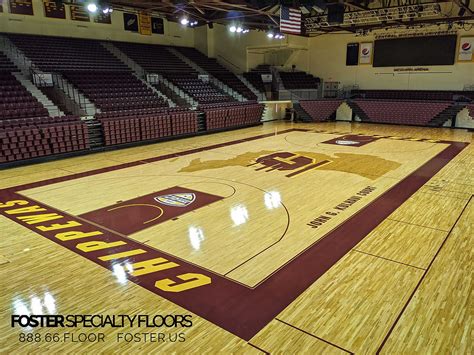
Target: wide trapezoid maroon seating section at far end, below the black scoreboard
point(402, 112)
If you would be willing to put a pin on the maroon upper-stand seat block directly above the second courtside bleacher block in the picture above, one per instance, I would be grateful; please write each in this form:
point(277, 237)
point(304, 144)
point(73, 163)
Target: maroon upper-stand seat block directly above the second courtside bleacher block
point(114, 91)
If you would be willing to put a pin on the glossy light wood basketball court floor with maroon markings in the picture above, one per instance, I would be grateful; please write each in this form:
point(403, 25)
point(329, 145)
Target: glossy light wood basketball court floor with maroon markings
point(319, 238)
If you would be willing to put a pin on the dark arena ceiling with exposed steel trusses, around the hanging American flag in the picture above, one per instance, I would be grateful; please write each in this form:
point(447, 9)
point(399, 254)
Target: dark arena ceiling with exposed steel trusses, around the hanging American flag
point(359, 15)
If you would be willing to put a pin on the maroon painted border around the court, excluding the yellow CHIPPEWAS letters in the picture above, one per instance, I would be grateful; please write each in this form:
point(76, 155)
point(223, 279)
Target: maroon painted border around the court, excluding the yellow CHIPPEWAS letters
point(239, 309)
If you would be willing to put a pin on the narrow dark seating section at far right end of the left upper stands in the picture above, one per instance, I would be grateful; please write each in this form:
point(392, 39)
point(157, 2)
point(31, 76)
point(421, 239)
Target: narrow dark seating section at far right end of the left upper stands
point(212, 66)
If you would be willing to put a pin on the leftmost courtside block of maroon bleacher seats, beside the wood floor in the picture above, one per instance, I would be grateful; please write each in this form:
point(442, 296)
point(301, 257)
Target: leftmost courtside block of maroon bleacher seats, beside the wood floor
point(36, 137)
